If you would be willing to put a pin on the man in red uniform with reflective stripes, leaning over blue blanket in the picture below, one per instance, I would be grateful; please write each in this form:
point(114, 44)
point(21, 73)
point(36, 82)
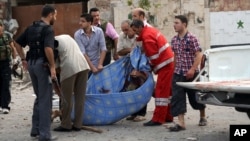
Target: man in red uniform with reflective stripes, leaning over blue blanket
point(161, 58)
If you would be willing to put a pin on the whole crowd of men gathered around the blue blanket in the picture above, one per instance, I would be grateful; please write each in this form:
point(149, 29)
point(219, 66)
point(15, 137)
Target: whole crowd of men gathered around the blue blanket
point(93, 46)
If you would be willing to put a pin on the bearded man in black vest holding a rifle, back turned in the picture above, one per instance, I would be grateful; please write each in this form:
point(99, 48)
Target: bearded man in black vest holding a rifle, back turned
point(41, 66)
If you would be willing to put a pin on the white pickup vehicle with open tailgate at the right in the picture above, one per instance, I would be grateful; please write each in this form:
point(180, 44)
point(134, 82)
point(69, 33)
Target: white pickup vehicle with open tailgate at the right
point(224, 78)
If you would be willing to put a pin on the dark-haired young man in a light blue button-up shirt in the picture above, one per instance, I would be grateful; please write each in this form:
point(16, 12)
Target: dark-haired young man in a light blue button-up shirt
point(91, 41)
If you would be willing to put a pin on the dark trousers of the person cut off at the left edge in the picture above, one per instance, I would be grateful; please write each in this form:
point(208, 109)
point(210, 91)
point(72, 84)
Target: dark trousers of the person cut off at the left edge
point(5, 80)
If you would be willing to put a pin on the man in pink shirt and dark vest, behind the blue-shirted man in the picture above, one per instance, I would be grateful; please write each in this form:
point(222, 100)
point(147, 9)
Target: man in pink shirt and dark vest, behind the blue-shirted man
point(111, 36)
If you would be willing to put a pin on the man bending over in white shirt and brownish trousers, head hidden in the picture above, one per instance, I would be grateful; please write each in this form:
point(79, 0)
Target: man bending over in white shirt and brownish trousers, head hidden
point(73, 77)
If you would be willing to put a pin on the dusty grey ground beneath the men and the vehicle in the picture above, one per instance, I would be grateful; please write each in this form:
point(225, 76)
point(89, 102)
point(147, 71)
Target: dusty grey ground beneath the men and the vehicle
point(16, 125)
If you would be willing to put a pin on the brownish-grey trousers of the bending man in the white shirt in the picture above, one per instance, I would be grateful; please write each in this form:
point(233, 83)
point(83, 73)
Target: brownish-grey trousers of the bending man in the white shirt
point(74, 86)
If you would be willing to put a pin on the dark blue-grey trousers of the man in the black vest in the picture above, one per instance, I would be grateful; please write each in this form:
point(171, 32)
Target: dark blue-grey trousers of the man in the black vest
point(41, 118)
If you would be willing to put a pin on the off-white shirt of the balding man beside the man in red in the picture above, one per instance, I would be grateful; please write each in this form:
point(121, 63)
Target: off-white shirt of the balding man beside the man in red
point(125, 42)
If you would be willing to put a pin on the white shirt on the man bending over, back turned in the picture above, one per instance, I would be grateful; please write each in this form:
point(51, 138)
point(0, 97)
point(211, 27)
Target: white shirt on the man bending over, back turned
point(71, 58)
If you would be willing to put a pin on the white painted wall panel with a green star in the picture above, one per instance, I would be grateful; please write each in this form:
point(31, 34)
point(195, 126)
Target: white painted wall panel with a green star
point(229, 28)
